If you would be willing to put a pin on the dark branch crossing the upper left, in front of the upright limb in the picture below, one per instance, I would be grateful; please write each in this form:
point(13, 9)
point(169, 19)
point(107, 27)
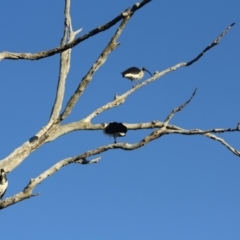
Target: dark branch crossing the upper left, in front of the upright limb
point(48, 53)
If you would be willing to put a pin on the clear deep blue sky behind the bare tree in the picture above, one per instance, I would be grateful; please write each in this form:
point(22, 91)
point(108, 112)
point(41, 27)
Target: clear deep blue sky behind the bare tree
point(177, 187)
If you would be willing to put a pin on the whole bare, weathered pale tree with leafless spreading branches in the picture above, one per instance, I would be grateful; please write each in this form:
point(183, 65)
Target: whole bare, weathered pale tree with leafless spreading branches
point(54, 129)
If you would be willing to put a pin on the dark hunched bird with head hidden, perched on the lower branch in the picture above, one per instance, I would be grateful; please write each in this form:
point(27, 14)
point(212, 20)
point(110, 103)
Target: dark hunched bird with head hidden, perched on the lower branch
point(115, 129)
